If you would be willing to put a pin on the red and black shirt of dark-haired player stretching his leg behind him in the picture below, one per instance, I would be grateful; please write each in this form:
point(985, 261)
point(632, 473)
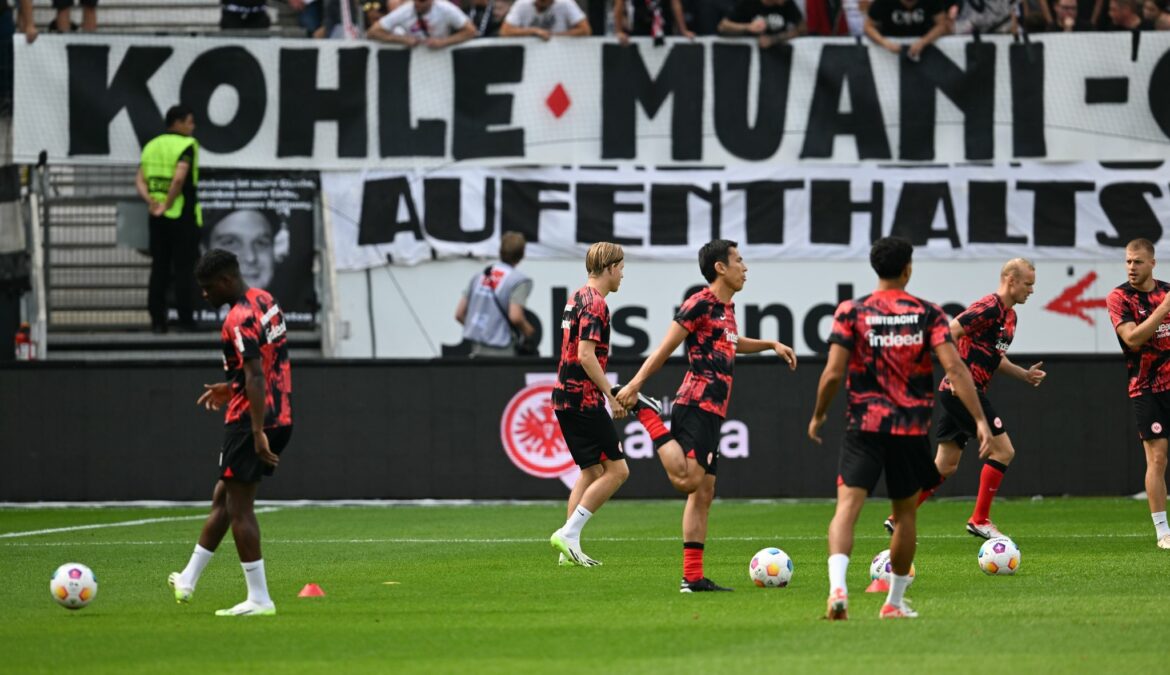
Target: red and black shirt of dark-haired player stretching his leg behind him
point(712, 337)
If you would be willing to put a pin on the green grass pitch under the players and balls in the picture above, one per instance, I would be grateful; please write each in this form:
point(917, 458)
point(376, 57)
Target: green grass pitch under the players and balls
point(476, 589)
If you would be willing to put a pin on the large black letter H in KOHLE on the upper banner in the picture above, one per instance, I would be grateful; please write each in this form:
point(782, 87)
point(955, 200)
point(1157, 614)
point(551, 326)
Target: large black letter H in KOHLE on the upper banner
point(304, 105)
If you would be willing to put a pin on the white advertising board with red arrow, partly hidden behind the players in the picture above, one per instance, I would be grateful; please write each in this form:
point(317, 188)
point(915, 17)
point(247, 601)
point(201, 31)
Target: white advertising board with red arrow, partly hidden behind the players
point(409, 312)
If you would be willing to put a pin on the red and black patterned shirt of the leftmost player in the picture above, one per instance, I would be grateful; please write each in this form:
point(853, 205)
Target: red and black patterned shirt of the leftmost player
point(254, 329)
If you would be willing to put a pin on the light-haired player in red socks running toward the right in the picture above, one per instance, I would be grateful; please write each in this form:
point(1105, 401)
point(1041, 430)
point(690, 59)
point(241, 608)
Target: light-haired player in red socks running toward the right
point(983, 333)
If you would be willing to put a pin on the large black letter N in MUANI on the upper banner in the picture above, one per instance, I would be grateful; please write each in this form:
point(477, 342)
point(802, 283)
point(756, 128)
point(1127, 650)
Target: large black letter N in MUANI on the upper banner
point(972, 91)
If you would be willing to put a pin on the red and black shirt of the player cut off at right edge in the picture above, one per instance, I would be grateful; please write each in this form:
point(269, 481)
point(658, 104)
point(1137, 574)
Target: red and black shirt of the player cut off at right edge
point(1150, 367)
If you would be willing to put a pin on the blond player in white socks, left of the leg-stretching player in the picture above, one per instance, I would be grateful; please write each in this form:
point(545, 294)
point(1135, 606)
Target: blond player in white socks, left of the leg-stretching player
point(580, 398)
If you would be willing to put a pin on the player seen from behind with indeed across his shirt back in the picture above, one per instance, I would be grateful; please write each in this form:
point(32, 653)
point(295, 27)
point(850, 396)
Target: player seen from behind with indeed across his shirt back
point(882, 346)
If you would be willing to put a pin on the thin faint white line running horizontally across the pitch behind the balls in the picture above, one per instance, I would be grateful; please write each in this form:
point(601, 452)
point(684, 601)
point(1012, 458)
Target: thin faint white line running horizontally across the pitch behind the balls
point(543, 541)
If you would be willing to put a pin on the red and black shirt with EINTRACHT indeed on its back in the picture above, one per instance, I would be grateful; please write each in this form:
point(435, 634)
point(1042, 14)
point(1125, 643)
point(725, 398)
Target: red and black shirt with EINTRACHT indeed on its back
point(890, 335)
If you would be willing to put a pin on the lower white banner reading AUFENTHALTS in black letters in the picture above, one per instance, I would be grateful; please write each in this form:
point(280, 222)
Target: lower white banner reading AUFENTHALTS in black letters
point(1079, 211)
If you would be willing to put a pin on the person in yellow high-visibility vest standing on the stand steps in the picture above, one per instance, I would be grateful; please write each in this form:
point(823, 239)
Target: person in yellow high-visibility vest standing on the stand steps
point(168, 178)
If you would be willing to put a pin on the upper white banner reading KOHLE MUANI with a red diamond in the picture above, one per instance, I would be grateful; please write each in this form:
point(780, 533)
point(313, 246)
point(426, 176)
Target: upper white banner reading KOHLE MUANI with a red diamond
point(343, 105)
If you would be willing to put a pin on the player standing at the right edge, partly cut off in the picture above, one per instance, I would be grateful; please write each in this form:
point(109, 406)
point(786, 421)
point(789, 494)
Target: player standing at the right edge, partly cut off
point(1139, 311)
